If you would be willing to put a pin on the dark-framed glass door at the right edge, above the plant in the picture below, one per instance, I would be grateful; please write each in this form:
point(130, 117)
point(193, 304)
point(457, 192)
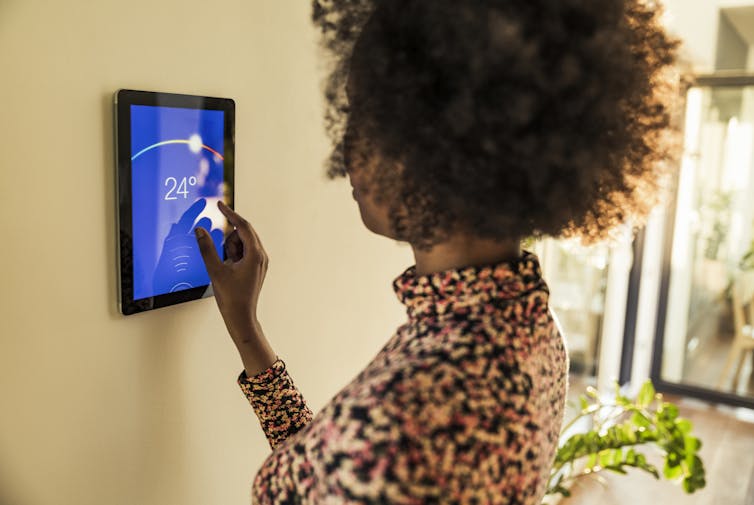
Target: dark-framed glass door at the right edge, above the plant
point(704, 341)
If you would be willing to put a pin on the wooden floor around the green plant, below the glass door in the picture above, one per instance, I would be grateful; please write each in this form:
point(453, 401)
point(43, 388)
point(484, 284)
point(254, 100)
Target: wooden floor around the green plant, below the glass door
point(727, 452)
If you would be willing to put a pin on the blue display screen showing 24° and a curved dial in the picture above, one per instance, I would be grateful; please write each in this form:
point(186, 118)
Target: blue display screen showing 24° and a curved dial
point(177, 177)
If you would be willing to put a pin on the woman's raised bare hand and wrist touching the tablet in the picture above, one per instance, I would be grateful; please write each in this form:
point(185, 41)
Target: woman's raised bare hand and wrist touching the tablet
point(237, 283)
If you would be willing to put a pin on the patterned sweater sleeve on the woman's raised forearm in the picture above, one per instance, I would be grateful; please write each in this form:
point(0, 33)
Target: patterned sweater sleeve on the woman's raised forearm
point(279, 405)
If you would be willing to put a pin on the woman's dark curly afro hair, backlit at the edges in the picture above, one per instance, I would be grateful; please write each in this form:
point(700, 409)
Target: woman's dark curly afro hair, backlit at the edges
point(507, 118)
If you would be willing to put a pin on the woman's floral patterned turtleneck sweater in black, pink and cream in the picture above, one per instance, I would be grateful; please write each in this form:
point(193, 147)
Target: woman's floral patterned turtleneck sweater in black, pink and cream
point(463, 405)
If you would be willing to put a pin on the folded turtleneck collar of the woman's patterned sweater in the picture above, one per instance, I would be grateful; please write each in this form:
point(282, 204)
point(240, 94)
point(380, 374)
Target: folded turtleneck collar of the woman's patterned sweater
point(469, 289)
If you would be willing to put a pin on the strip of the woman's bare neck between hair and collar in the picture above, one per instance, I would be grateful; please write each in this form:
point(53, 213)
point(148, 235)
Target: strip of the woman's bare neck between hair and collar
point(463, 250)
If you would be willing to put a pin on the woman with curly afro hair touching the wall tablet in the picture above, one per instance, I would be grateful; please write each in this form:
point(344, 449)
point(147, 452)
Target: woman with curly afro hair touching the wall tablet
point(464, 126)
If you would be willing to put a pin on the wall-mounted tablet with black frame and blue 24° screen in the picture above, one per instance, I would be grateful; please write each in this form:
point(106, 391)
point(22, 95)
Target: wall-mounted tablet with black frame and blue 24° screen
point(174, 157)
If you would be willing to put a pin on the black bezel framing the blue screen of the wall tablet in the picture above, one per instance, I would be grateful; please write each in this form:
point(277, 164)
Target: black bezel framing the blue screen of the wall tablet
point(123, 99)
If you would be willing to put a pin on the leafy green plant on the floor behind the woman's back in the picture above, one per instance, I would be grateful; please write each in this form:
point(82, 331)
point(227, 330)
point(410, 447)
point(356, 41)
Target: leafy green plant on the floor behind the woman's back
point(620, 428)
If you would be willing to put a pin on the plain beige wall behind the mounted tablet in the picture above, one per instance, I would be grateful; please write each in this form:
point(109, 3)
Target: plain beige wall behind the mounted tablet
point(100, 409)
